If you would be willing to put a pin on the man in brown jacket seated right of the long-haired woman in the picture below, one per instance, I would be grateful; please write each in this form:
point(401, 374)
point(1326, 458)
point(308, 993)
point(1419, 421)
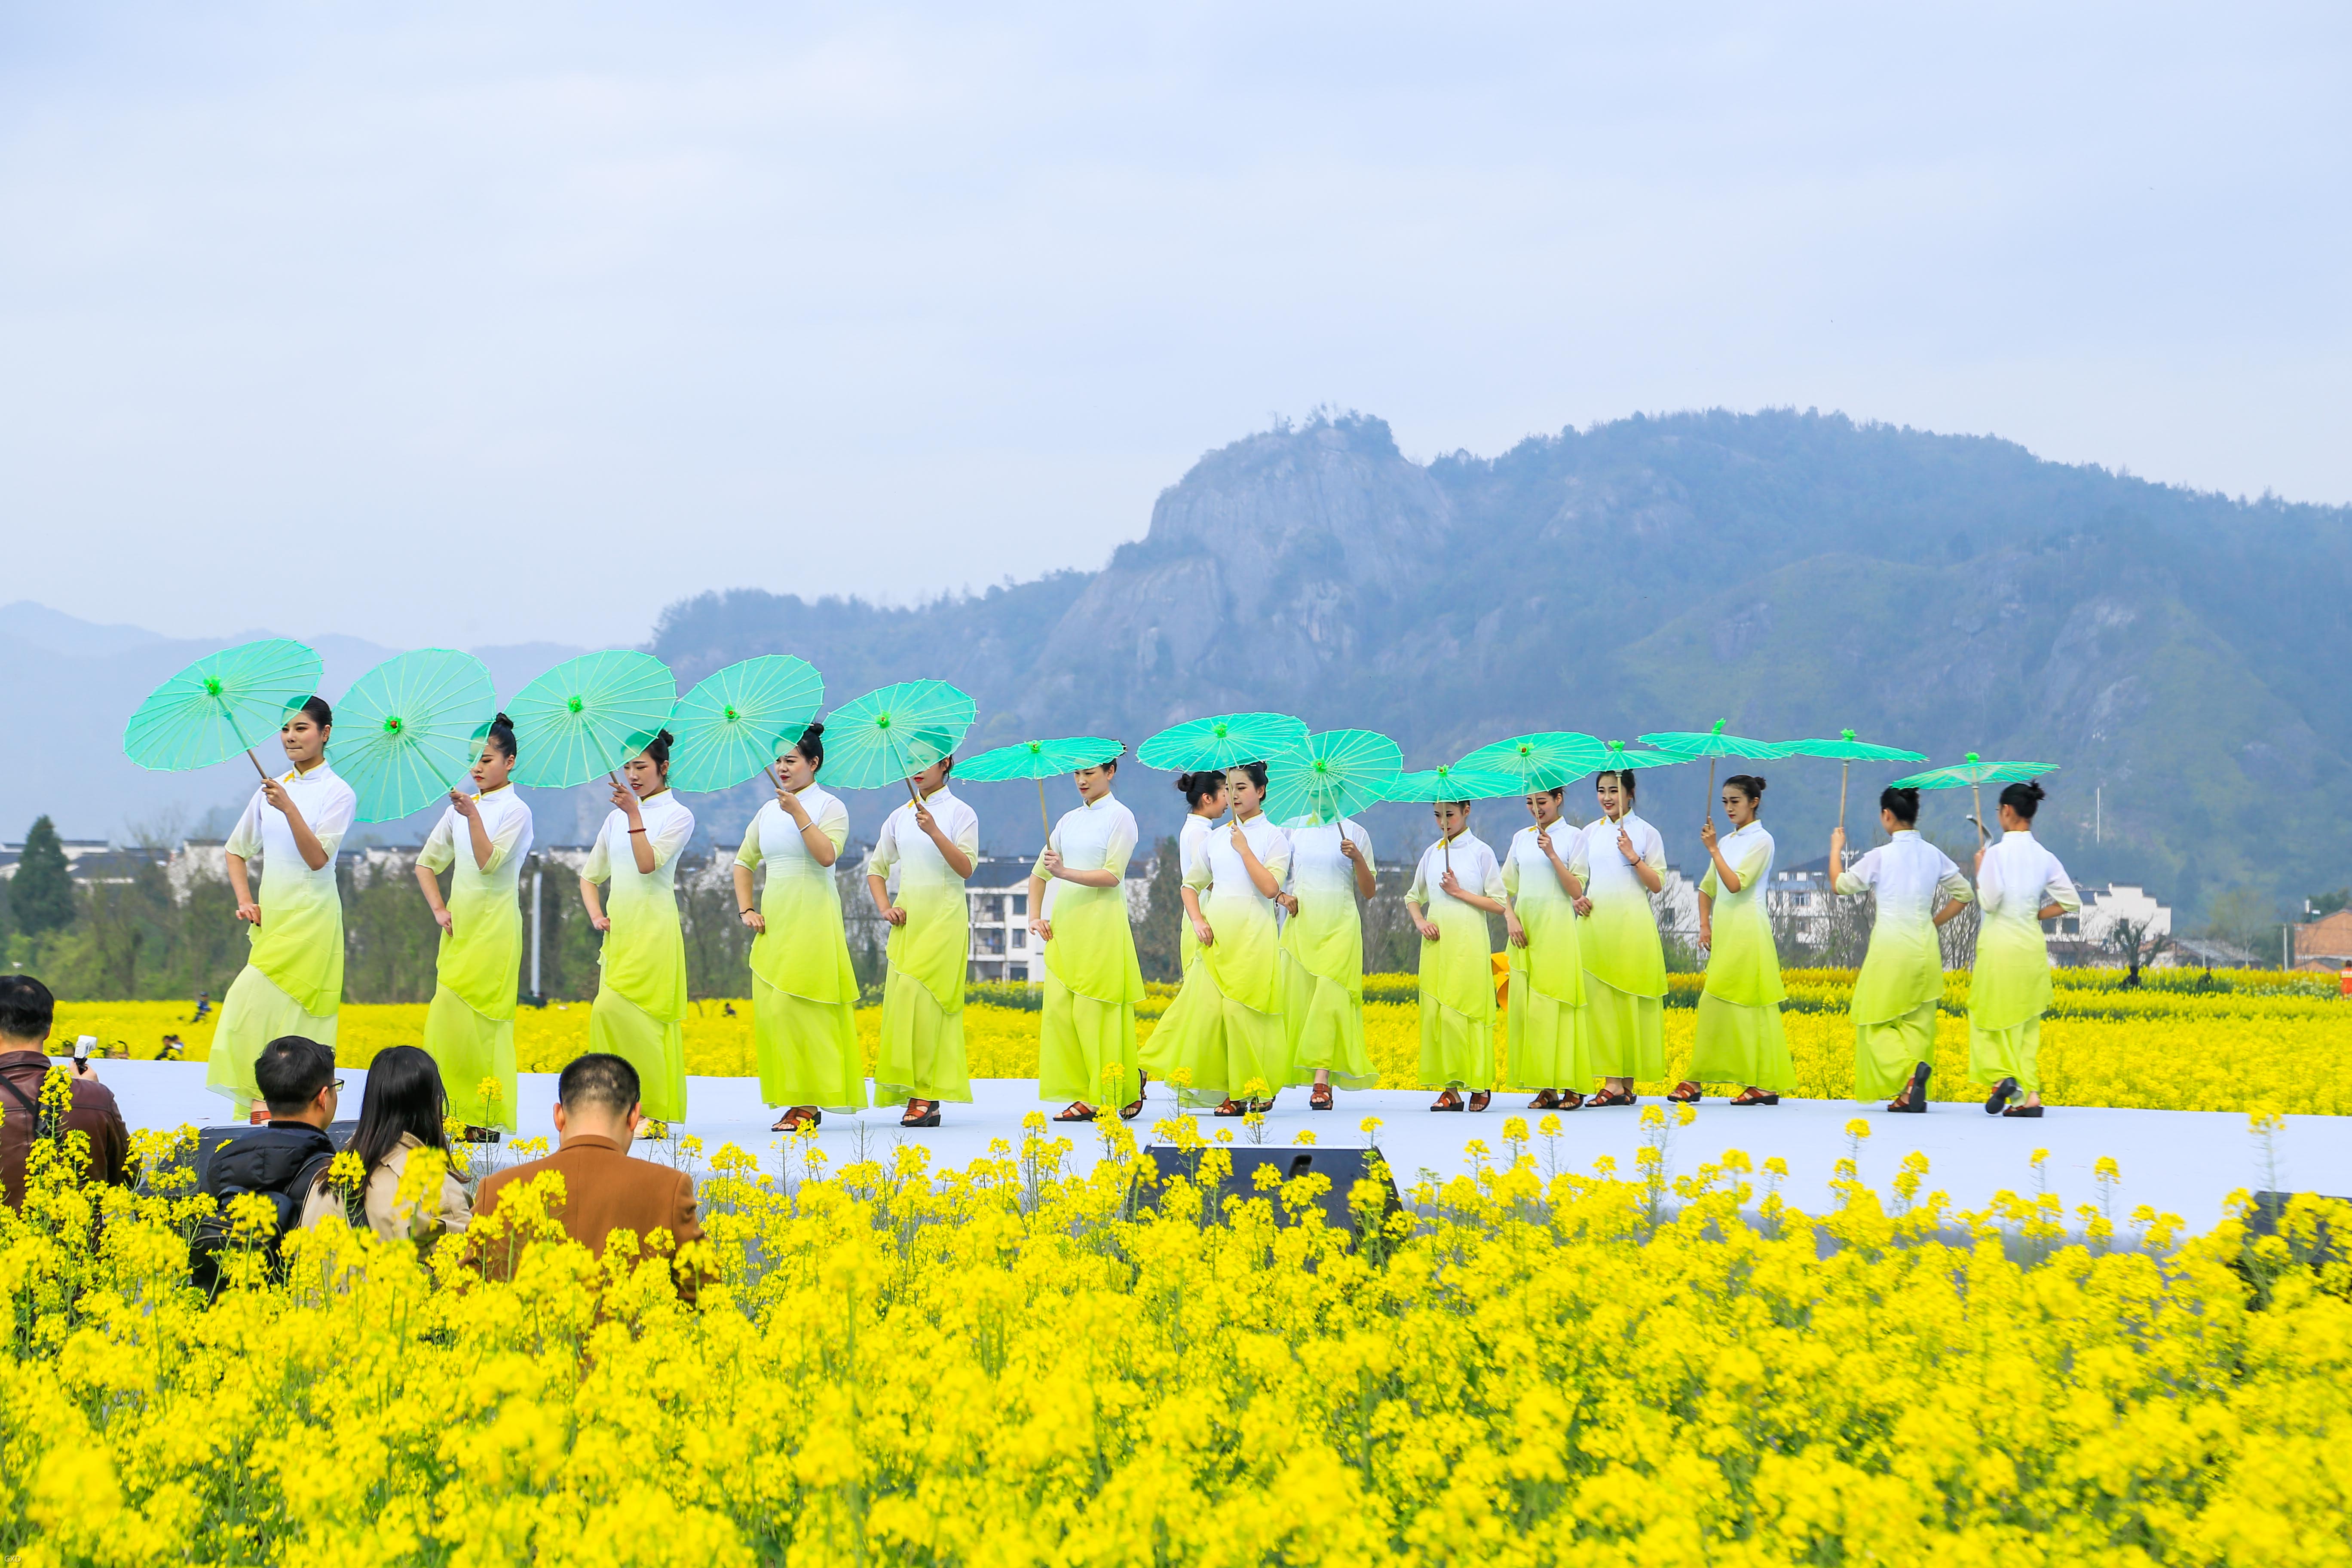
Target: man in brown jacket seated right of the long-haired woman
point(606, 1188)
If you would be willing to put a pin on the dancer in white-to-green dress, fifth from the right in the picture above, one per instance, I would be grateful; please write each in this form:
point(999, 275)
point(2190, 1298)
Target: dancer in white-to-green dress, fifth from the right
point(1546, 1028)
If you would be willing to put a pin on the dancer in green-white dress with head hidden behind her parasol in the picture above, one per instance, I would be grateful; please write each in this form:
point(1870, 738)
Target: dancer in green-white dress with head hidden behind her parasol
point(1323, 960)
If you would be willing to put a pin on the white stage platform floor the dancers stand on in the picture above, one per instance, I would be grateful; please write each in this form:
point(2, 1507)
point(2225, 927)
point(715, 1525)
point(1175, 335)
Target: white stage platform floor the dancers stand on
point(2179, 1162)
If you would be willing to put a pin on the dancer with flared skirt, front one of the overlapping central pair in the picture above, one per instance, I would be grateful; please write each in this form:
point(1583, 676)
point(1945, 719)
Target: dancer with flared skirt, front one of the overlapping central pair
point(1224, 1031)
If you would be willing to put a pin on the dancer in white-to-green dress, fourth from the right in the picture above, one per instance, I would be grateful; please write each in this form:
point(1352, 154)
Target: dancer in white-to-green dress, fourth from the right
point(1622, 862)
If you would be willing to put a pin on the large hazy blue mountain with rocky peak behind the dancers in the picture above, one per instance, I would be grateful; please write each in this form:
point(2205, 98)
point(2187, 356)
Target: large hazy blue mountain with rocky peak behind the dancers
point(2177, 652)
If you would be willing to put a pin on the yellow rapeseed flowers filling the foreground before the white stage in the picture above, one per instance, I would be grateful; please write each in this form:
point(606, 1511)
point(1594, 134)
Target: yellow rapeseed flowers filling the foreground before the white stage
point(1017, 1365)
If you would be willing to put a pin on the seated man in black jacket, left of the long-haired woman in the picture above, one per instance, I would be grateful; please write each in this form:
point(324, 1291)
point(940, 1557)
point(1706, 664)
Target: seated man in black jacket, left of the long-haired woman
point(279, 1160)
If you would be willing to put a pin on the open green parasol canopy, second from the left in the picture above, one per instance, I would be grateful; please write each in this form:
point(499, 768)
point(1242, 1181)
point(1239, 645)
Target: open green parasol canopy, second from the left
point(410, 728)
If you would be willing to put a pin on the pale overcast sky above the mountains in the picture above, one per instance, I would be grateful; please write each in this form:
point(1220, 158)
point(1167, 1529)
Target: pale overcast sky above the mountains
point(488, 323)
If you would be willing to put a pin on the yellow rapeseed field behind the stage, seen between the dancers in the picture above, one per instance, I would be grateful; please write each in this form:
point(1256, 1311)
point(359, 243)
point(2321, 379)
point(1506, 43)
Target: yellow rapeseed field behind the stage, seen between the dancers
point(2177, 1043)
